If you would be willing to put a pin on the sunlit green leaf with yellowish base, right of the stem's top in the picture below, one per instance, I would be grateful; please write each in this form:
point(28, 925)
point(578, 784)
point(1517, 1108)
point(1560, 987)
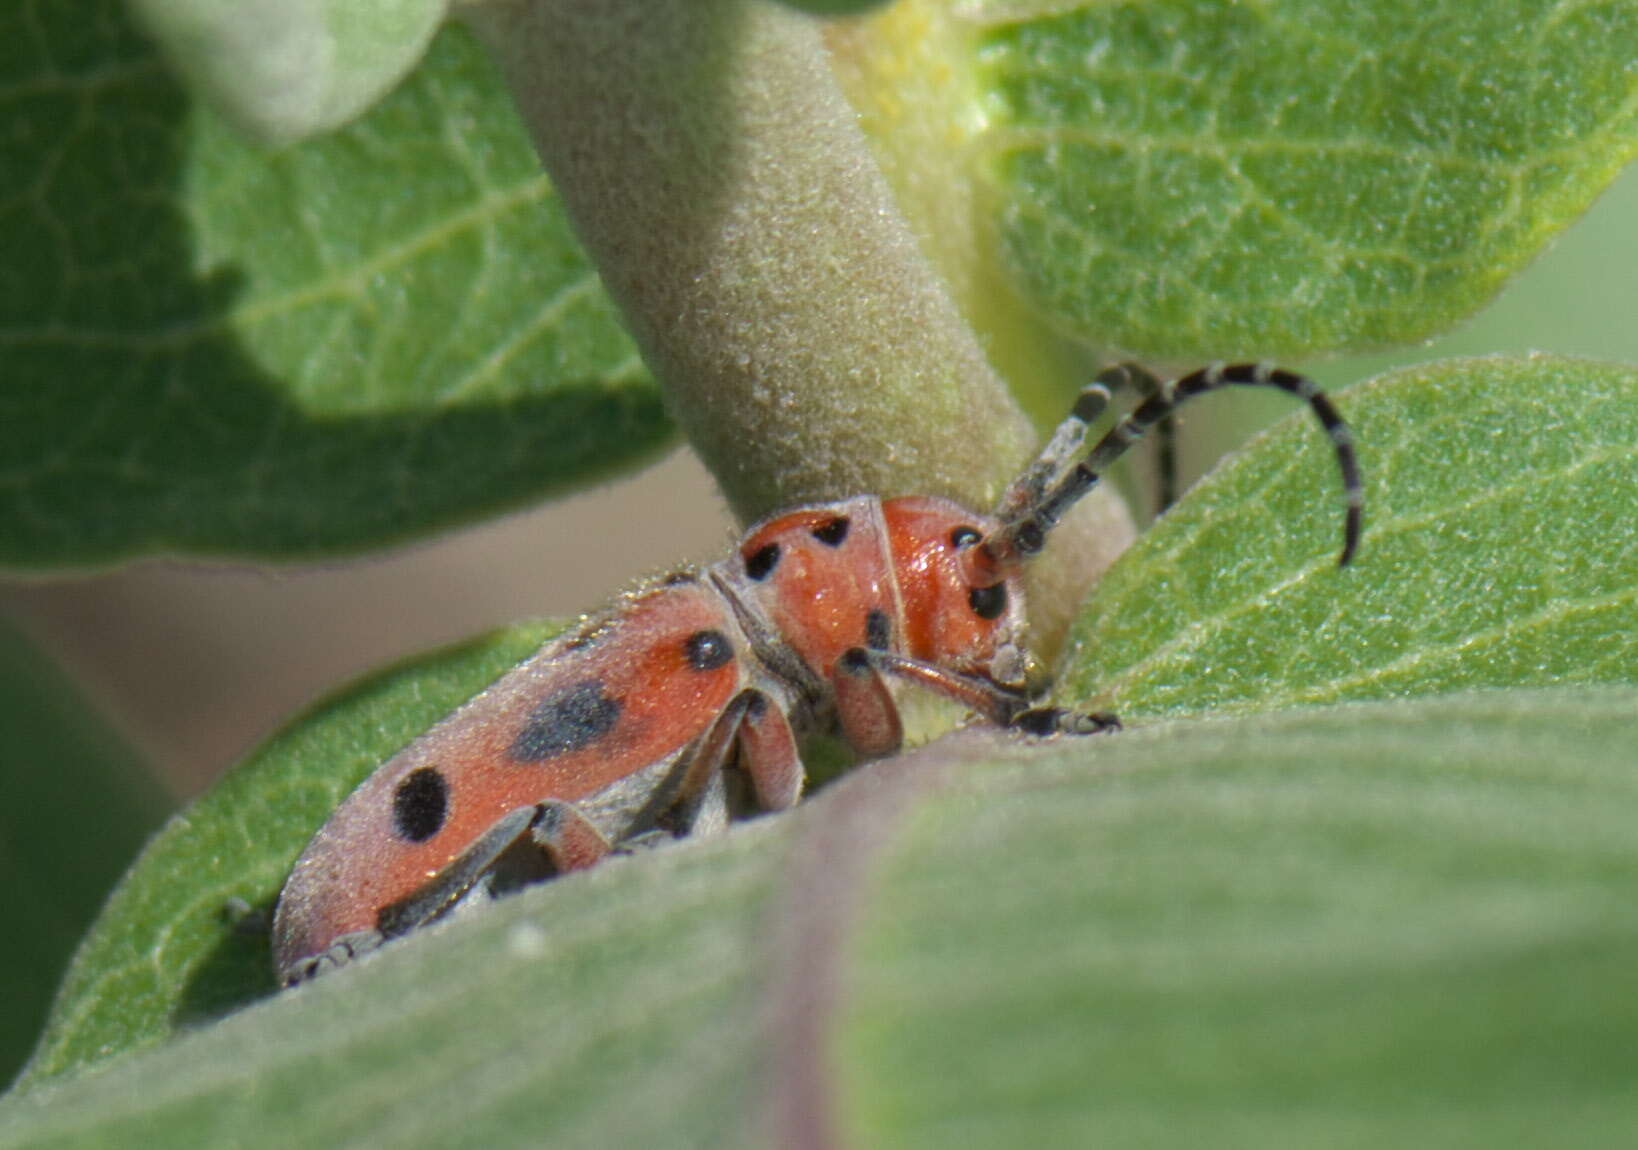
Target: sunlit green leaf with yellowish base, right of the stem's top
point(1198, 179)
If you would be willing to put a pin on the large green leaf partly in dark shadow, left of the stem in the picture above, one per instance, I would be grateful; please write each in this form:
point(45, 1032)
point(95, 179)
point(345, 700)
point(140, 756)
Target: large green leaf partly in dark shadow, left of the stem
point(217, 350)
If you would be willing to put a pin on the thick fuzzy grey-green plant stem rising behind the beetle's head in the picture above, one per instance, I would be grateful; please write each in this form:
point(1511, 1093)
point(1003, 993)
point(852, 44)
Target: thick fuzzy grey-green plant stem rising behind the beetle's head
point(722, 184)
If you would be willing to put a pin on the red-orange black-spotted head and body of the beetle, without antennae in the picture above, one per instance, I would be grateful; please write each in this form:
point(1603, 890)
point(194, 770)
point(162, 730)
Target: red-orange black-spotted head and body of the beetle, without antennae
point(613, 720)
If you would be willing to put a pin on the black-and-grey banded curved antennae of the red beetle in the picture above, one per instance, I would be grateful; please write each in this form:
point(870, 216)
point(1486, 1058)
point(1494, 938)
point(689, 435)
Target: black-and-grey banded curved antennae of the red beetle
point(1033, 509)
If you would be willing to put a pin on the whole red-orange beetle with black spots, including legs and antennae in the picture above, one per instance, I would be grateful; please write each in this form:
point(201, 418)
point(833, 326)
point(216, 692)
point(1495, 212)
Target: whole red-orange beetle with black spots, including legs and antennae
point(620, 731)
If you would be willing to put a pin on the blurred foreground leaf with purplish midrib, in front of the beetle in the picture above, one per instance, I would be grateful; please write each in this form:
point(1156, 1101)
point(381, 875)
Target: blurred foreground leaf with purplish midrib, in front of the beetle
point(1395, 923)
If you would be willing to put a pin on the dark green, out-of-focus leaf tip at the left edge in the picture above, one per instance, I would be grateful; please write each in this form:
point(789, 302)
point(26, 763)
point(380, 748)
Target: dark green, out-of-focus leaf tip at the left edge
point(78, 807)
